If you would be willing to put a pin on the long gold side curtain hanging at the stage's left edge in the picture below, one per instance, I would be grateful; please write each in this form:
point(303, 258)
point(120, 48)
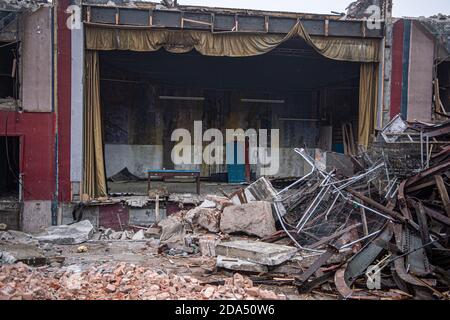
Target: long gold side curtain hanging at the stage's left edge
point(94, 182)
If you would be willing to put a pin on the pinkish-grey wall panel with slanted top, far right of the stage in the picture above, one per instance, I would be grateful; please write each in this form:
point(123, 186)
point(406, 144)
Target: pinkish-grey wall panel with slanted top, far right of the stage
point(421, 61)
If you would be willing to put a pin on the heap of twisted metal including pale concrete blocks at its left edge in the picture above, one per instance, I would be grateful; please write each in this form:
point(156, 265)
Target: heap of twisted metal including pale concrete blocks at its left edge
point(375, 235)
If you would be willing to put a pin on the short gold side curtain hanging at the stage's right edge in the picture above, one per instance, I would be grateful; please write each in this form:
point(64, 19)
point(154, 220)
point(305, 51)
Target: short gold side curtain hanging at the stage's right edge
point(368, 102)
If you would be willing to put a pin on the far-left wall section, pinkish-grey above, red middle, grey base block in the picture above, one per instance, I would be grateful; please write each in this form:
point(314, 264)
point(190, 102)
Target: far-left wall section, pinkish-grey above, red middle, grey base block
point(35, 126)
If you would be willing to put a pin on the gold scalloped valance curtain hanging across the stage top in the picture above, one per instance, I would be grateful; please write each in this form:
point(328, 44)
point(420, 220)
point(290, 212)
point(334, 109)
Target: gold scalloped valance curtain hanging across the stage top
point(226, 44)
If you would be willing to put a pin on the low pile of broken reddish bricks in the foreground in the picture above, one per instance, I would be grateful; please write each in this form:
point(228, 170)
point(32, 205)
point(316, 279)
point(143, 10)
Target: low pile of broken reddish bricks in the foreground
point(120, 281)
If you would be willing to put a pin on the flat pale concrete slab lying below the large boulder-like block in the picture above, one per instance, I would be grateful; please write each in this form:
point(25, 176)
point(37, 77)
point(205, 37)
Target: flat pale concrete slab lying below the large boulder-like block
point(268, 254)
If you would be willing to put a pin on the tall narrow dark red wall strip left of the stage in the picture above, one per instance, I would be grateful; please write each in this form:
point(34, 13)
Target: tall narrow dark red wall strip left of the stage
point(64, 101)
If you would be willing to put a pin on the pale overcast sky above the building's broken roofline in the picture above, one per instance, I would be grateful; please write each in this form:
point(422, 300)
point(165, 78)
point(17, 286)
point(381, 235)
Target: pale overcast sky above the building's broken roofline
point(402, 8)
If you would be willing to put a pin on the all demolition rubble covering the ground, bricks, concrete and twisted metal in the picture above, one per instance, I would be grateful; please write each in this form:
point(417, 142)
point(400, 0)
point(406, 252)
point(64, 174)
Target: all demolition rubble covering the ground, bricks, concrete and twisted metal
point(381, 233)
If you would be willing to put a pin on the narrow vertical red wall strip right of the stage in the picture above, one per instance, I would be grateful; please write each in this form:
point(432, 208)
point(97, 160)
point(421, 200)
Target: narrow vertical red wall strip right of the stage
point(397, 68)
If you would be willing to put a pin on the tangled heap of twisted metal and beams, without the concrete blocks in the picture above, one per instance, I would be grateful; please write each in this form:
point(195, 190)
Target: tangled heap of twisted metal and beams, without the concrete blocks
point(394, 231)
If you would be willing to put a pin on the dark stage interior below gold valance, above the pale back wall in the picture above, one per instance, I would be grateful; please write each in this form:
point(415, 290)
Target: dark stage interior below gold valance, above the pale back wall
point(315, 92)
